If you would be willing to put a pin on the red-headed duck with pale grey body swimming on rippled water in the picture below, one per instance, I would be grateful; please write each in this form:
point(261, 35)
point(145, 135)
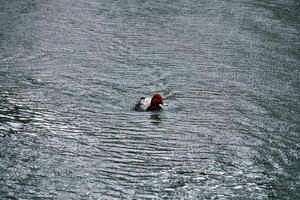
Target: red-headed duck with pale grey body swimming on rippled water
point(150, 104)
